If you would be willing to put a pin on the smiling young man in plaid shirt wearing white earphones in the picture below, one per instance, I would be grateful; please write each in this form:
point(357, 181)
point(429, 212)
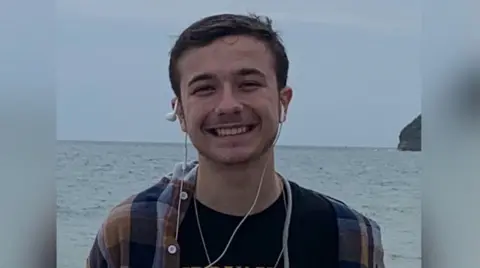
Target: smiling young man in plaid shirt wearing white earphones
point(229, 75)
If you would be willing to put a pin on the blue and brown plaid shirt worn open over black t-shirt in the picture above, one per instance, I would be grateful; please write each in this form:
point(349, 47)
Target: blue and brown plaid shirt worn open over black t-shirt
point(140, 232)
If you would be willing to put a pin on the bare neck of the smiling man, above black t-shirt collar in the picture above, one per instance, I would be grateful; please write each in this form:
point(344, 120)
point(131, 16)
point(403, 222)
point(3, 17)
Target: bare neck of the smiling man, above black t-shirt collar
point(232, 189)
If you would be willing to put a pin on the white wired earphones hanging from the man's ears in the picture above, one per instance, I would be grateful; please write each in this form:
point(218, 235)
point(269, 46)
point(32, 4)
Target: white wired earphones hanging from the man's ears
point(172, 116)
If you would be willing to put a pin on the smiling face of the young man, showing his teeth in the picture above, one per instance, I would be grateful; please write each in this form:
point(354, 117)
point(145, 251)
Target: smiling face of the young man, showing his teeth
point(230, 102)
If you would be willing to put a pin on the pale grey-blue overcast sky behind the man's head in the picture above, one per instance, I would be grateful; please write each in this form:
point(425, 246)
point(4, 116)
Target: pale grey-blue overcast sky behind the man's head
point(354, 67)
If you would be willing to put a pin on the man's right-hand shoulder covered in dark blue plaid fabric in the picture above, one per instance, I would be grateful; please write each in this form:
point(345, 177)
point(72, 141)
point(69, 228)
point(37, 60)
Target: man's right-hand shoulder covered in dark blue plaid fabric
point(359, 237)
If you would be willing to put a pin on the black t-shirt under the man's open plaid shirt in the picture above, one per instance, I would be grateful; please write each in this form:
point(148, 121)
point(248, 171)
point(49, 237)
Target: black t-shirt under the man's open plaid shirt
point(313, 239)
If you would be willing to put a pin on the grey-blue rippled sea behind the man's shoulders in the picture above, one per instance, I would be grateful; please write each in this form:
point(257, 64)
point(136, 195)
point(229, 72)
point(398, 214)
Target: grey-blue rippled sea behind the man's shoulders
point(383, 184)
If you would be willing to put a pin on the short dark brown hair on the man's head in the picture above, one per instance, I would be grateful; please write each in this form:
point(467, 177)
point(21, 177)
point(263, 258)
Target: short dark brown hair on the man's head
point(205, 31)
